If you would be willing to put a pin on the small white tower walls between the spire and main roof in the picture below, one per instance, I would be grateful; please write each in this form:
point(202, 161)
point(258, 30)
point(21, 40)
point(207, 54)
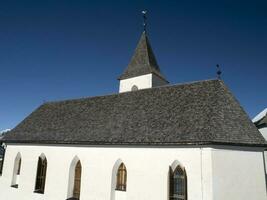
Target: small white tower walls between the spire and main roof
point(142, 82)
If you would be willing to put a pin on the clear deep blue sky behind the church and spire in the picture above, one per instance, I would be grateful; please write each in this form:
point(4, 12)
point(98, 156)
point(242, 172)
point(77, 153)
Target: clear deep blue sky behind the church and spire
point(53, 50)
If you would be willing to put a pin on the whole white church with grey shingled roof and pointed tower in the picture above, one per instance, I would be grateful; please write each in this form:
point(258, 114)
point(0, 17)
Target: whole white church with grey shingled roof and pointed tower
point(150, 141)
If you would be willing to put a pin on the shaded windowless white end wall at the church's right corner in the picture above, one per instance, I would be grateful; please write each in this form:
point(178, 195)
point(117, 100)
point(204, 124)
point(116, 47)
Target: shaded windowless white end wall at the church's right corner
point(238, 175)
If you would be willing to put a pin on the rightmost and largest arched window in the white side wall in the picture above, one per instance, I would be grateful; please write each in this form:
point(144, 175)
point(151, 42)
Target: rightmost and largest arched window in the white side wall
point(178, 184)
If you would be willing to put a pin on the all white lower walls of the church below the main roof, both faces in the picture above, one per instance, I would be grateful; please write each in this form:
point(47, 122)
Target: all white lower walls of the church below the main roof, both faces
point(213, 174)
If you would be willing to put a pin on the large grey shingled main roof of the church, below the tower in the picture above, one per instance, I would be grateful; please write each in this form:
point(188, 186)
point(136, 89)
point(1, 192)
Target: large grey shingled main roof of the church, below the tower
point(195, 113)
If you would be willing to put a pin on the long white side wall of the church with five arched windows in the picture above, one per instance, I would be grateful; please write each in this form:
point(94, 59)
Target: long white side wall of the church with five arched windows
point(147, 172)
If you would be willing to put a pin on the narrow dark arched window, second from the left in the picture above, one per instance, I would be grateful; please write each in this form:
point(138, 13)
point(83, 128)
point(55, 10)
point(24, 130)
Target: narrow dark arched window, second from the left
point(40, 175)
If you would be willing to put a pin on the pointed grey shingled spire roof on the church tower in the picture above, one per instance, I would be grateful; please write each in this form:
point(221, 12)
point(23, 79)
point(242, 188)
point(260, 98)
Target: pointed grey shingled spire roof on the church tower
point(143, 61)
